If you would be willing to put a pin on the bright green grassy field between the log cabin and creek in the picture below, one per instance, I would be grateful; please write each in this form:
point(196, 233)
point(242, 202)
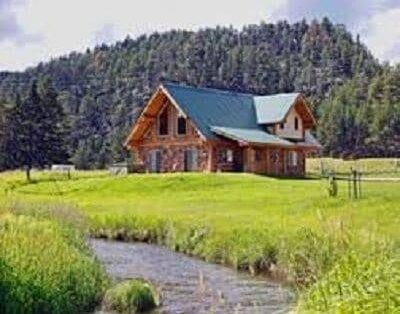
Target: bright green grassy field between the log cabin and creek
point(343, 255)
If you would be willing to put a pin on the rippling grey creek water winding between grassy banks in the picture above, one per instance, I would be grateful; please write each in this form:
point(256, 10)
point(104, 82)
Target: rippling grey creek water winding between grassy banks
point(189, 285)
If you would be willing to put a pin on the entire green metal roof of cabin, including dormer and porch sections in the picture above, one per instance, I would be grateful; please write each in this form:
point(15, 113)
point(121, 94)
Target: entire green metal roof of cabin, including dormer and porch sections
point(232, 114)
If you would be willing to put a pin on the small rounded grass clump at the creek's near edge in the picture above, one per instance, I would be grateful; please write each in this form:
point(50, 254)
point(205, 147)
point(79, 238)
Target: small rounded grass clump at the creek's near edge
point(132, 296)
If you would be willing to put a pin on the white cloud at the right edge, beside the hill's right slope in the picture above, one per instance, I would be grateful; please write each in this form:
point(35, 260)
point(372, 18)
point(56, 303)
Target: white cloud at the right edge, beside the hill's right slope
point(382, 35)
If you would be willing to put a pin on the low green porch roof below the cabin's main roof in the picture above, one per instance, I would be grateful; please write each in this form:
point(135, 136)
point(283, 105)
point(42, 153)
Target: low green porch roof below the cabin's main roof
point(252, 136)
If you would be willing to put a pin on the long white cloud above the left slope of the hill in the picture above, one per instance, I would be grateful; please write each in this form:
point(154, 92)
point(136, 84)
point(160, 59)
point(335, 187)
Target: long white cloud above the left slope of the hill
point(69, 25)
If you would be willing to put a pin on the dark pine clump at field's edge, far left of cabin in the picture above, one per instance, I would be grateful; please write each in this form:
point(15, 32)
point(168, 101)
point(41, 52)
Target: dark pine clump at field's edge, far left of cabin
point(34, 133)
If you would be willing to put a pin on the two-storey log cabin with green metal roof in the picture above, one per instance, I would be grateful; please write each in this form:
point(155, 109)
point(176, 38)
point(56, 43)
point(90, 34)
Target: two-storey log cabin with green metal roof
point(184, 128)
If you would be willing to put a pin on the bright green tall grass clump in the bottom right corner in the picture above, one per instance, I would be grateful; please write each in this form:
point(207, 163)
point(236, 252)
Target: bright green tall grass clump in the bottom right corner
point(358, 283)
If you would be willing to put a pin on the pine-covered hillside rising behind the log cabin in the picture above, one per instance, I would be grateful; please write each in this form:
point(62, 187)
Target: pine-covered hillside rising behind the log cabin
point(102, 90)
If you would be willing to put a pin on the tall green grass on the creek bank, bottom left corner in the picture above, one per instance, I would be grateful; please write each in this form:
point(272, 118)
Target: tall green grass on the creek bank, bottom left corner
point(46, 268)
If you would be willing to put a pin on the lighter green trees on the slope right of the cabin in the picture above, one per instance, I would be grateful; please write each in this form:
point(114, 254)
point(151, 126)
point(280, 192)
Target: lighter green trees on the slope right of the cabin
point(362, 117)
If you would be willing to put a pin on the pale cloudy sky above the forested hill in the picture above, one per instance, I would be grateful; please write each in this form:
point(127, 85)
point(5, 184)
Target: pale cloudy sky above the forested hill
point(38, 30)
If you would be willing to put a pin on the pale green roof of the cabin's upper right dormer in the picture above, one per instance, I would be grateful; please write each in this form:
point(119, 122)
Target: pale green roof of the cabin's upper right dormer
point(272, 109)
